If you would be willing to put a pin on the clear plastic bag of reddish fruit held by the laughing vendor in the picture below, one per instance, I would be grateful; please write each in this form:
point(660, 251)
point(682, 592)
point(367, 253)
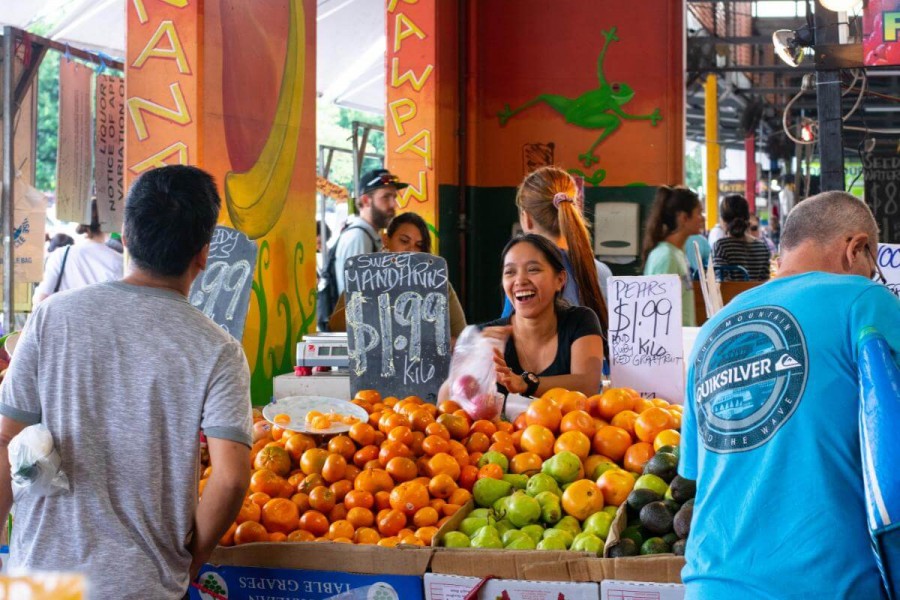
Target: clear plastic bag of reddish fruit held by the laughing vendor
point(473, 380)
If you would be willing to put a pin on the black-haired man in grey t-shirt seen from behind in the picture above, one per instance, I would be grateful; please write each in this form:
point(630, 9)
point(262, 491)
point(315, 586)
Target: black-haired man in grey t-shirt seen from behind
point(126, 375)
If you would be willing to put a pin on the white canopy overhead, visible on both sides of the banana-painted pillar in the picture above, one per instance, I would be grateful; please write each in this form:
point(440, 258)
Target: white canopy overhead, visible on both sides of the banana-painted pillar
point(350, 42)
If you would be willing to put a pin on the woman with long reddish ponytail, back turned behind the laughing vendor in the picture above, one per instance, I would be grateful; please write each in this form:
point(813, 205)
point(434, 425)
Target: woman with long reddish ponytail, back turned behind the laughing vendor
point(546, 201)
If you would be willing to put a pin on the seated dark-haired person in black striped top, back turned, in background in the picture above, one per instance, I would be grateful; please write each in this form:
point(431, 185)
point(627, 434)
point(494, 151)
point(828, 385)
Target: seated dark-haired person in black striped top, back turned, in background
point(739, 248)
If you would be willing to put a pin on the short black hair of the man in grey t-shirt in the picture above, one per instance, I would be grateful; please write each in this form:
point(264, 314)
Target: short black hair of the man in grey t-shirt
point(170, 215)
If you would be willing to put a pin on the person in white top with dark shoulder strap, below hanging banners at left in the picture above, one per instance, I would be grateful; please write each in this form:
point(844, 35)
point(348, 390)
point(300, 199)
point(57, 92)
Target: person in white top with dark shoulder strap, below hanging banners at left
point(88, 261)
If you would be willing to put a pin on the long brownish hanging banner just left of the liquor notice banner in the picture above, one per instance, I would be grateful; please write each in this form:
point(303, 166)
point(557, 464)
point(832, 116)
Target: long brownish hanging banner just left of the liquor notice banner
point(73, 162)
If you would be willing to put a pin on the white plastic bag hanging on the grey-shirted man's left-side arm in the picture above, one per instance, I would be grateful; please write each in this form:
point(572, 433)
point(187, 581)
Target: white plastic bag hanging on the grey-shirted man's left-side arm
point(35, 463)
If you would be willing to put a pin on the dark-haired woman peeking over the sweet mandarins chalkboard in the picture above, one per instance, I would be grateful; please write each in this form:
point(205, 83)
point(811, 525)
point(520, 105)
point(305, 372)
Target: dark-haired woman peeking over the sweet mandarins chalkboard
point(407, 232)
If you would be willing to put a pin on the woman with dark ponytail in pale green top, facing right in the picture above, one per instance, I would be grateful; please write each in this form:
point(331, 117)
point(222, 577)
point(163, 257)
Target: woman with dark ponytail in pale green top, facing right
point(675, 216)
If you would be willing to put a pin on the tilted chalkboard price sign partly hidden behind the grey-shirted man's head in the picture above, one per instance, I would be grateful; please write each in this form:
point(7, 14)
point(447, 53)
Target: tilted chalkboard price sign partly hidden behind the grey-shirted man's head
point(222, 291)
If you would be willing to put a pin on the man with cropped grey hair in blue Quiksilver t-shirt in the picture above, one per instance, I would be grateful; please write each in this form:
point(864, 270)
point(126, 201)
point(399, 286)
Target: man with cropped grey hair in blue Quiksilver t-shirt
point(771, 419)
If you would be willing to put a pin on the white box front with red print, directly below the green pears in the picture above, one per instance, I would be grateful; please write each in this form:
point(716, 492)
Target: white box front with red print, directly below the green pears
point(452, 587)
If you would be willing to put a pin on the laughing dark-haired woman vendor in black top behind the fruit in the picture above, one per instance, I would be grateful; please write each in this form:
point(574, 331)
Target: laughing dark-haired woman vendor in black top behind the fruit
point(548, 343)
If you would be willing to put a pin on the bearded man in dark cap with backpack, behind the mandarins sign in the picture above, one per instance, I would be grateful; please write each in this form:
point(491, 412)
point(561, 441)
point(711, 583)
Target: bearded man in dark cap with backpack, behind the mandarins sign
point(377, 206)
